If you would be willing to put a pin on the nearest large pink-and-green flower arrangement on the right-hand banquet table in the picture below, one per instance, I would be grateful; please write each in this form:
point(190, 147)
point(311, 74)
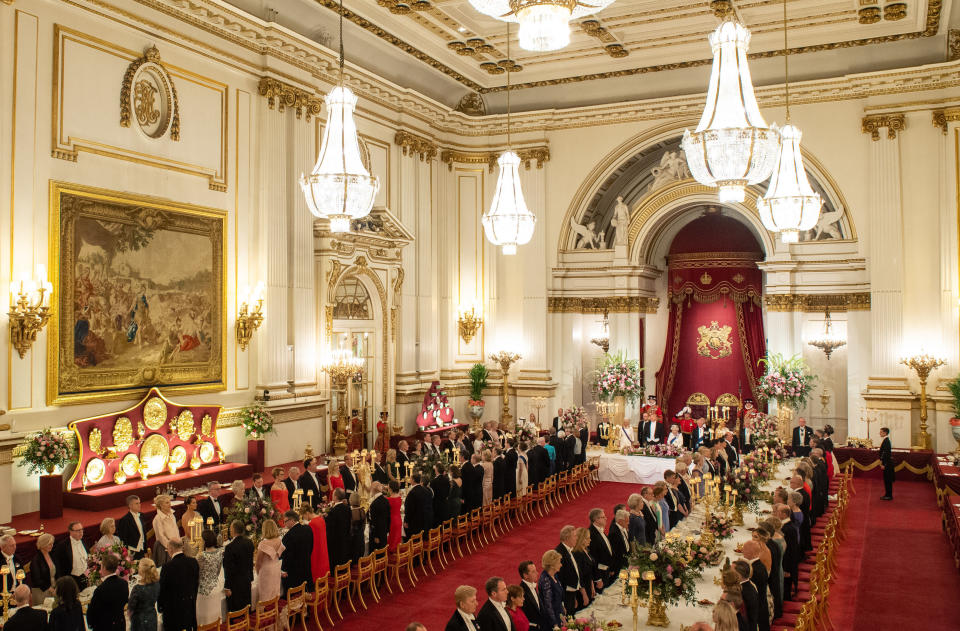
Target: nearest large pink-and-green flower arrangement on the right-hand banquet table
point(670, 559)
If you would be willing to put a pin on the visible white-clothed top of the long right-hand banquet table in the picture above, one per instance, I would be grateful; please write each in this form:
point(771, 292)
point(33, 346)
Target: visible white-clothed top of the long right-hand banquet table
point(607, 606)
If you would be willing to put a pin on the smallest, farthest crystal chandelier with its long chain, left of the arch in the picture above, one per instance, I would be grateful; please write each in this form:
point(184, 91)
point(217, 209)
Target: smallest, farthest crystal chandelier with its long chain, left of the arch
point(508, 222)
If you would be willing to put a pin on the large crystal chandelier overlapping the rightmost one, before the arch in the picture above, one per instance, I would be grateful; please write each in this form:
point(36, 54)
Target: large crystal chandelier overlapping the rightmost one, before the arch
point(732, 145)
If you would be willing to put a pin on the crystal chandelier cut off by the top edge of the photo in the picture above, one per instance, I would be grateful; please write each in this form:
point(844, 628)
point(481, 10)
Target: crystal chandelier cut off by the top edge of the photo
point(544, 24)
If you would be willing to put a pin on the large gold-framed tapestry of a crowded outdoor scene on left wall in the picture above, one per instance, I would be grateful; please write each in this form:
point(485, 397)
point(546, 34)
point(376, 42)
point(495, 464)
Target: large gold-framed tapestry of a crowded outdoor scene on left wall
point(139, 294)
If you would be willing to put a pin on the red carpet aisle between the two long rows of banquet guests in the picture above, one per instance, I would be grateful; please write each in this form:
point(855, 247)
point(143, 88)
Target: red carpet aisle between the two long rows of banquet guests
point(431, 602)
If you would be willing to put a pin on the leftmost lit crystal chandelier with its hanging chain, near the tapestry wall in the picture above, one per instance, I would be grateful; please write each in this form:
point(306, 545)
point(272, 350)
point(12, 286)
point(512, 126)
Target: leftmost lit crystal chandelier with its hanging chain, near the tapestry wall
point(340, 188)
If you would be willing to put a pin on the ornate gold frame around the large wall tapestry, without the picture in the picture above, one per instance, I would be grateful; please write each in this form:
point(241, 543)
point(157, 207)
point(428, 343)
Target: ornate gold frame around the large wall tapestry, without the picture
point(191, 379)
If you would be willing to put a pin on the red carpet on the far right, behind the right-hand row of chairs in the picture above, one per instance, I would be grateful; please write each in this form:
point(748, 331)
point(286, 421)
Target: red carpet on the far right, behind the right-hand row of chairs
point(895, 569)
